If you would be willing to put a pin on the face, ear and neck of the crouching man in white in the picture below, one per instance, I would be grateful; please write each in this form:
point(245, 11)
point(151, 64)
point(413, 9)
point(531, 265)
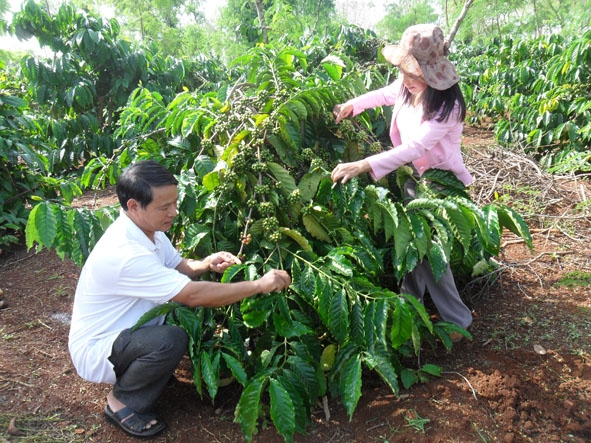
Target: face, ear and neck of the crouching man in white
point(159, 214)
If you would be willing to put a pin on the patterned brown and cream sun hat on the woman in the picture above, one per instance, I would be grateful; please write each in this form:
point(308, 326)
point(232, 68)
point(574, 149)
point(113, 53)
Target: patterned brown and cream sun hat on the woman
point(422, 52)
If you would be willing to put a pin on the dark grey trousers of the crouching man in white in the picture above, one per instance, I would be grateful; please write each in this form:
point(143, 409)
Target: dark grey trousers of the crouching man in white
point(144, 361)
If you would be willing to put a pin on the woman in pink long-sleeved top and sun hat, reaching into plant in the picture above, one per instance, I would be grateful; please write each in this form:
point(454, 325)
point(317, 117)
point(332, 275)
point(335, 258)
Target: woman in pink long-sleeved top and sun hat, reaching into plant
point(427, 122)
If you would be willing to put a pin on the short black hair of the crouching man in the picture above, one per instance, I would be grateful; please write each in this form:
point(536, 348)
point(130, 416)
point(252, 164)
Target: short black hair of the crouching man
point(138, 179)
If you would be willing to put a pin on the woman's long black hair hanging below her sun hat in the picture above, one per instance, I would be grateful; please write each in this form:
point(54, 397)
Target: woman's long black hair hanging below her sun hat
point(439, 102)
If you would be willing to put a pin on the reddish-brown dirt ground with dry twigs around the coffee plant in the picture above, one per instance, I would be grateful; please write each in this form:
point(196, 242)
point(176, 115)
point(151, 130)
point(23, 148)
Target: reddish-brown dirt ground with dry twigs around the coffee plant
point(525, 376)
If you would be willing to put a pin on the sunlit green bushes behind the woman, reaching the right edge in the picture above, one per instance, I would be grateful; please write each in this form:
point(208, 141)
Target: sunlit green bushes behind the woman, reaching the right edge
point(536, 92)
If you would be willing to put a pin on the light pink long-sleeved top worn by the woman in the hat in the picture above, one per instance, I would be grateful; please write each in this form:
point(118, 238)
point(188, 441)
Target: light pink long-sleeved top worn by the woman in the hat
point(425, 144)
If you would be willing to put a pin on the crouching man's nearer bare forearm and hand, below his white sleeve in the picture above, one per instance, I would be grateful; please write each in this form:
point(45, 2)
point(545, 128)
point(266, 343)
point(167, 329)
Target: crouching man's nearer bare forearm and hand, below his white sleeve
point(214, 294)
